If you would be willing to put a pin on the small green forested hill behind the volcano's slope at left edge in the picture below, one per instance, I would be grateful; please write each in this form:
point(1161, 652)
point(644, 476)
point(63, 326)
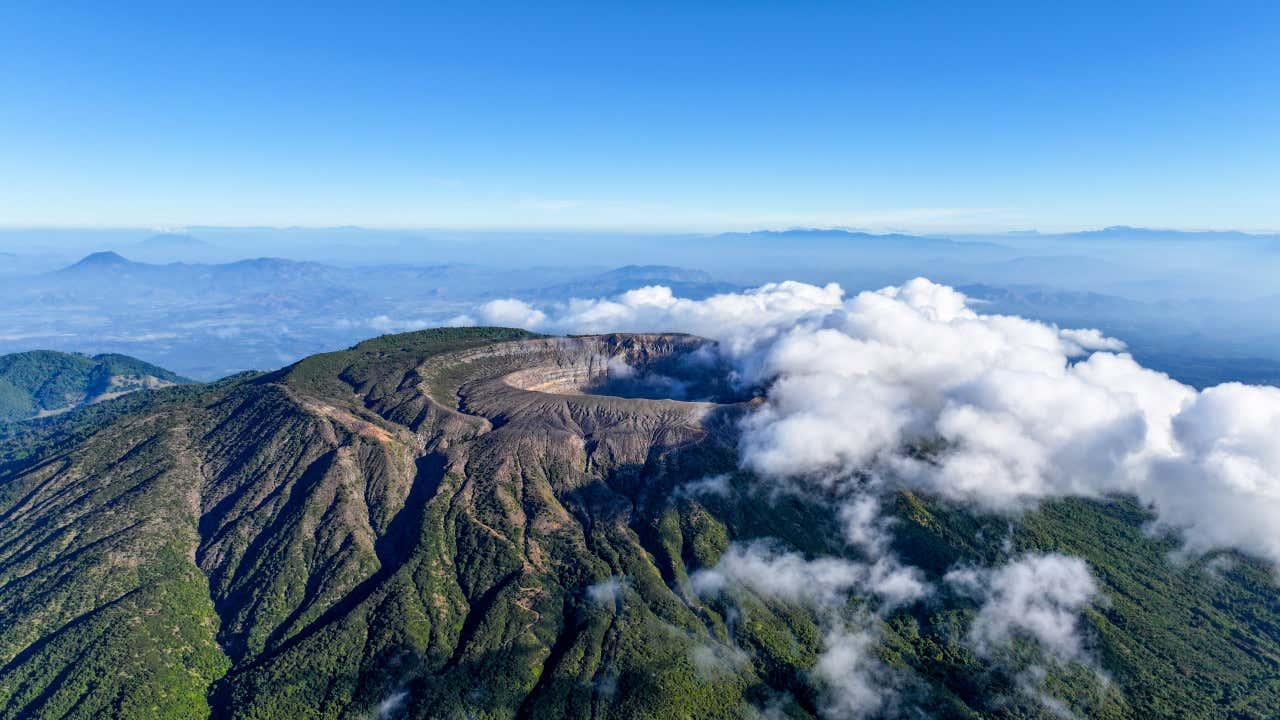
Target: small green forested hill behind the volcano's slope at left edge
point(45, 382)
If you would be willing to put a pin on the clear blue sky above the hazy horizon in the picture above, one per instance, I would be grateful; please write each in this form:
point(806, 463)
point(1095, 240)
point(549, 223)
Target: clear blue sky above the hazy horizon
point(913, 116)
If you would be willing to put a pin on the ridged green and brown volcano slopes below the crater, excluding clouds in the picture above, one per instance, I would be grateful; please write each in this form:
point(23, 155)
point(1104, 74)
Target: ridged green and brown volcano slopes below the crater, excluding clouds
point(386, 530)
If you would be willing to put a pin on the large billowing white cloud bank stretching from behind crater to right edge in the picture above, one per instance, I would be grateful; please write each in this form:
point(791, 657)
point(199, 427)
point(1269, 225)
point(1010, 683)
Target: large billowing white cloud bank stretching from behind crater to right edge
point(913, 385)
